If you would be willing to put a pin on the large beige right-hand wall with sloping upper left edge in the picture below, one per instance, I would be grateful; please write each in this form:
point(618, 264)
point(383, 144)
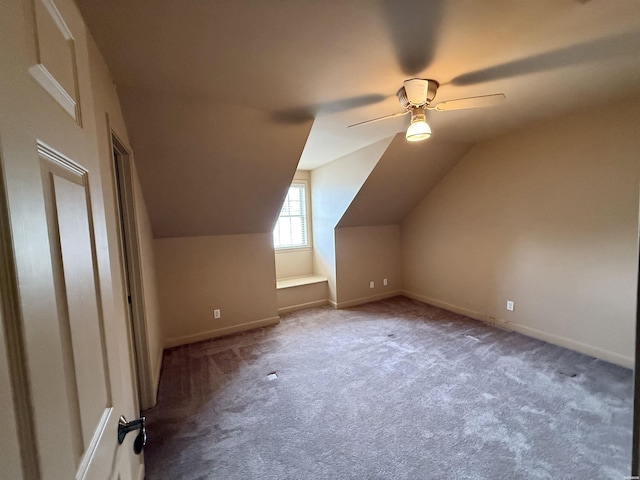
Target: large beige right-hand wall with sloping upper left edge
point(546, 217)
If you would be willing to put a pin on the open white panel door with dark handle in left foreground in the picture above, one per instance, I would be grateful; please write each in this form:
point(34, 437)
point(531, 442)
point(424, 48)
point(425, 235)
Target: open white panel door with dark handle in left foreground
point(69, 362)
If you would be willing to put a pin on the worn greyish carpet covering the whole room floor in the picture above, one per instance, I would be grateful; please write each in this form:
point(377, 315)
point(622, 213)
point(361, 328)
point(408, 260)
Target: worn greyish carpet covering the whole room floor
point(390, 390)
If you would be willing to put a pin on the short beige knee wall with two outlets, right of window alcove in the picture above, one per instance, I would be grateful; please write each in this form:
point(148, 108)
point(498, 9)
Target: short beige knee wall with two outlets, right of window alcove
point(365, 254)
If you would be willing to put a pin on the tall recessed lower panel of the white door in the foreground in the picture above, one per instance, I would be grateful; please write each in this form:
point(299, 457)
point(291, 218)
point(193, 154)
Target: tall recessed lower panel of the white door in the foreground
point(75, 277)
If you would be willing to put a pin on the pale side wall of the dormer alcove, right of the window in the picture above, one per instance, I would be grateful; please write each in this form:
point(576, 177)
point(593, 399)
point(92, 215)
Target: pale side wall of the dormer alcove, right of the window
point(333, 187)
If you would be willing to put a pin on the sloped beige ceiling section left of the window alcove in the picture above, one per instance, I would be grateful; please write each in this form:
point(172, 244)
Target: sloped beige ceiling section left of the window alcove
point(201, 177)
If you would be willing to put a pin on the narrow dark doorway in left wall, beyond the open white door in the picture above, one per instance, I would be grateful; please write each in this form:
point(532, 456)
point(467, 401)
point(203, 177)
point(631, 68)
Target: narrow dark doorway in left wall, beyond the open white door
point(132, 276)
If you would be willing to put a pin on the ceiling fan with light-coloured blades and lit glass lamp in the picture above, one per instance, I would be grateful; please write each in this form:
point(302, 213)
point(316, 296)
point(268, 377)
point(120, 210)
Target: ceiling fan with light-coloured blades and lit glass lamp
point(416, 96)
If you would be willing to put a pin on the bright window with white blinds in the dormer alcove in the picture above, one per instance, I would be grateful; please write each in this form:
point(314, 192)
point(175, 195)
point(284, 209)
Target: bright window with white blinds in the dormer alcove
point(291, 228)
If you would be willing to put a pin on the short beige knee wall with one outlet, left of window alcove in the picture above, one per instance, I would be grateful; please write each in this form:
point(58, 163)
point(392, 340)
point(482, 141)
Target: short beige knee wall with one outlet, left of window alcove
point(234, 273)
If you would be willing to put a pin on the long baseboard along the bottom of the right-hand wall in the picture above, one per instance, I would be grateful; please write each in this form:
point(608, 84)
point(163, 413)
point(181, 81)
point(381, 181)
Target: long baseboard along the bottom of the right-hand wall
point(622, 360)
